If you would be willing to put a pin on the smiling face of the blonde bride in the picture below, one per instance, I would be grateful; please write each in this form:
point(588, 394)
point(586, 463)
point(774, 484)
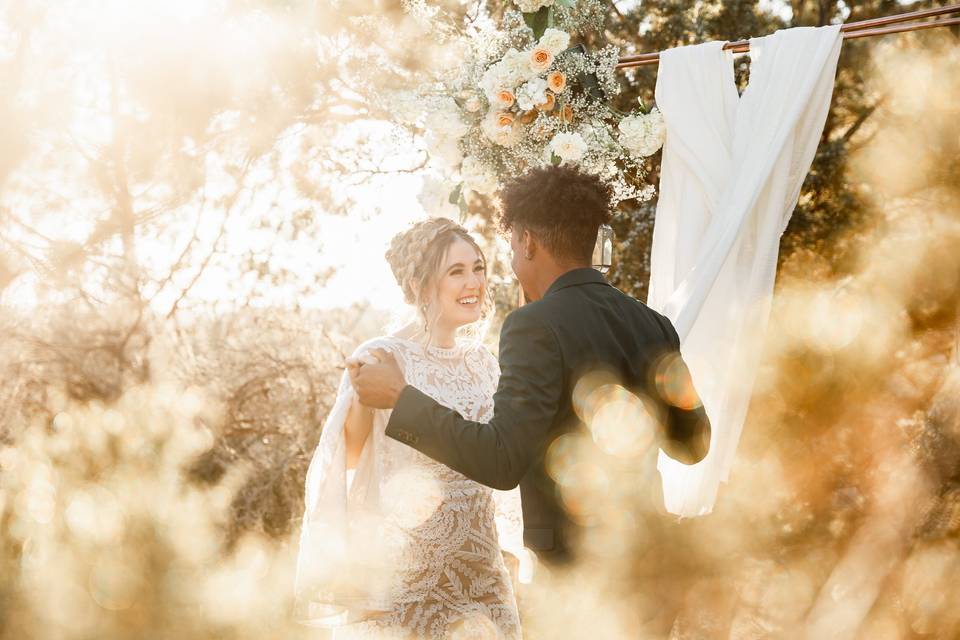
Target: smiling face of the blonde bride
point(461, 285)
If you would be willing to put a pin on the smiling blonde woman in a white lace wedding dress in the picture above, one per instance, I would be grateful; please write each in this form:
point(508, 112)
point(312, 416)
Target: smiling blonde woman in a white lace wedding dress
point(394, 544)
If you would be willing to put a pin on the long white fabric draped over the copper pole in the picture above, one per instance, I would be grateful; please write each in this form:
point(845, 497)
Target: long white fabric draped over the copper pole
point(731, 174)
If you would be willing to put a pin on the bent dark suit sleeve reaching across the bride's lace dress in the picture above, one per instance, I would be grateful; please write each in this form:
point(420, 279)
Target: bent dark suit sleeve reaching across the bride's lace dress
point(499, 453)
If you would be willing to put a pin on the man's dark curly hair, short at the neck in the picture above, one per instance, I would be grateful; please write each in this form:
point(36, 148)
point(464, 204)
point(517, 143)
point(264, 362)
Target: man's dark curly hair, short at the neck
point(562, 206)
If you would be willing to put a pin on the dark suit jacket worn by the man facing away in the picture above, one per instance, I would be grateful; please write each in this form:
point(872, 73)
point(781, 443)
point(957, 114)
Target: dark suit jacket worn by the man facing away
point(581, 325)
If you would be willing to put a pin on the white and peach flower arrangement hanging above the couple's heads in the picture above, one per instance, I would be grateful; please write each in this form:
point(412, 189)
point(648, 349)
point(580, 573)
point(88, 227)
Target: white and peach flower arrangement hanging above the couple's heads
point(524, 95)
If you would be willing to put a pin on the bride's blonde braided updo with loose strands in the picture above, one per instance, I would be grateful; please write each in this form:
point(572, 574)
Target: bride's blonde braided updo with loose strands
point(416, 256)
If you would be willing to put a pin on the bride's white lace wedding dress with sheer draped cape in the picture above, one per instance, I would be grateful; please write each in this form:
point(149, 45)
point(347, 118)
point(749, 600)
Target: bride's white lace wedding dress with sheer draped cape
point(409, 548)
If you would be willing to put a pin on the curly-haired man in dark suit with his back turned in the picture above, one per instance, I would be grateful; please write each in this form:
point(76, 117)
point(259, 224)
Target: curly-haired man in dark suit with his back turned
point(576, 324)
